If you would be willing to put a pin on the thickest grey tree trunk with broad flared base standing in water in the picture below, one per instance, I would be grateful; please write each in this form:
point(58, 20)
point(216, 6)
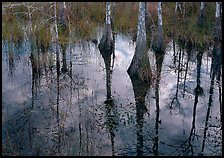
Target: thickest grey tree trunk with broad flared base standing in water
point(140, 66)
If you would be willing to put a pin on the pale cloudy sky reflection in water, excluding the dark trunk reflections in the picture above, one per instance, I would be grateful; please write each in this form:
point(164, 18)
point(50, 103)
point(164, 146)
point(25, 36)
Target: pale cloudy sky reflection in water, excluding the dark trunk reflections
point(82, 127)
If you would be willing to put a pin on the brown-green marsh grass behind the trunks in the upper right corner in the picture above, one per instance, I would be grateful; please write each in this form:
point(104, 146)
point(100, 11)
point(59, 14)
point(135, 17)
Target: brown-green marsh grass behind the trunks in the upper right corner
point(186, 27)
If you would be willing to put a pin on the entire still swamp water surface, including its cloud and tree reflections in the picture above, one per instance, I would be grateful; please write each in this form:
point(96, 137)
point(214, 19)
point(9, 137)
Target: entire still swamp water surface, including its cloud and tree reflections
point(66, 112)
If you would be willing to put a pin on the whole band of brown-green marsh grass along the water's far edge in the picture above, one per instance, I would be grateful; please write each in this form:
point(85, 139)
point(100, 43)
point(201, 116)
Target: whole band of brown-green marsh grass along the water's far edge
point(85, 17)
